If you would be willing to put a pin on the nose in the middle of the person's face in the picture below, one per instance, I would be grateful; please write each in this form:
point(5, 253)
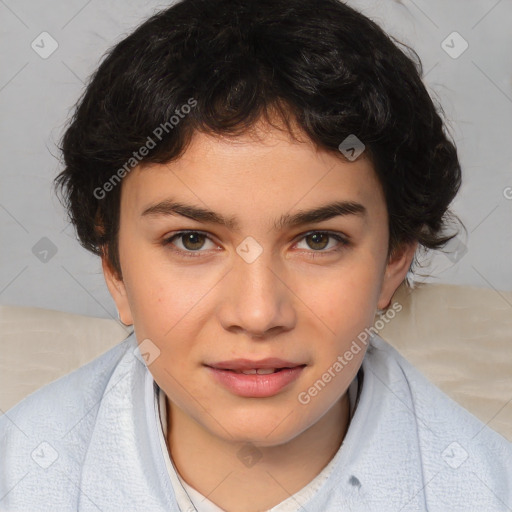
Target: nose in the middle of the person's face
point(257, 300)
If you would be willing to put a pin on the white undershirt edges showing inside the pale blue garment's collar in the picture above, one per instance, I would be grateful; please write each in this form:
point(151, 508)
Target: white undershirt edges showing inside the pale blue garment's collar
point(188, 498)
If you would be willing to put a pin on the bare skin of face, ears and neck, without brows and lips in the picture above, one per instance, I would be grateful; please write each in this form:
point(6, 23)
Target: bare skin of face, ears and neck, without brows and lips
point(287, 303)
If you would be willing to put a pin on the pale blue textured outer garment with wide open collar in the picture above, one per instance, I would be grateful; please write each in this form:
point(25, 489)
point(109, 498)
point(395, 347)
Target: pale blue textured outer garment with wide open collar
point(90, 441)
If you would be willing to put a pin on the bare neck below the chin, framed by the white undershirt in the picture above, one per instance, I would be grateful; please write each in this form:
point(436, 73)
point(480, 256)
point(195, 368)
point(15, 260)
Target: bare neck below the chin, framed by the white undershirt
point(215, 468)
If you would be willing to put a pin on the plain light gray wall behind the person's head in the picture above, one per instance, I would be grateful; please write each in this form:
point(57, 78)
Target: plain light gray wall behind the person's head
point(37, 95)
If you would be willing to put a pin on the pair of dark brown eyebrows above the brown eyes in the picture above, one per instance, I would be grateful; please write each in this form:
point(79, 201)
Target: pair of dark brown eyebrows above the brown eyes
point(169, 207)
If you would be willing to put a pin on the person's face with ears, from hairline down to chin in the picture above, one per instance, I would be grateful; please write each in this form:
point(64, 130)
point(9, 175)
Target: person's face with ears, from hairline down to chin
point(257, 286)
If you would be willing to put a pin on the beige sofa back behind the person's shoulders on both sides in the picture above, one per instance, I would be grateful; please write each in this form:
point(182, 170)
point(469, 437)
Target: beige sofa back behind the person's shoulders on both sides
point(459, 337)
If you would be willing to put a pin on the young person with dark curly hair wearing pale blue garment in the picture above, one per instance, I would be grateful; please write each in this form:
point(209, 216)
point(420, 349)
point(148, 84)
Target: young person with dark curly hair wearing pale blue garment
point(257, 177)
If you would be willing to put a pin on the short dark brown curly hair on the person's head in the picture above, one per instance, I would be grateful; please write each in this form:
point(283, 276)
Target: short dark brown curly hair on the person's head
point(318, 63)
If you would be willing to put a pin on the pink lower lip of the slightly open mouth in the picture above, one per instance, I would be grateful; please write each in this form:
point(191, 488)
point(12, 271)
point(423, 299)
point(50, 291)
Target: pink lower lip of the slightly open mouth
point(255, 385)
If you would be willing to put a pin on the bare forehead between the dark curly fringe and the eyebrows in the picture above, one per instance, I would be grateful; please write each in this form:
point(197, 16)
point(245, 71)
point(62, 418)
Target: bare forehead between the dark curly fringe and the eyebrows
point(266, 167)
